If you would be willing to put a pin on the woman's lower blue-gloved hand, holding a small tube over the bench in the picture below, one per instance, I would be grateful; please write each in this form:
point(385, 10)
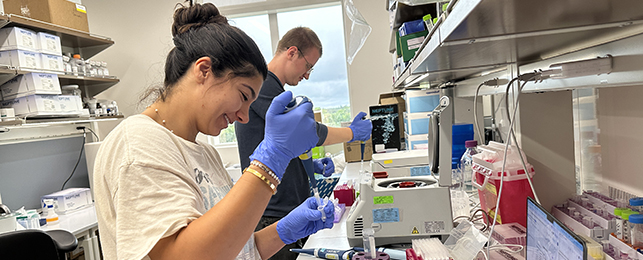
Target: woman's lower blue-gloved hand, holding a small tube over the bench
point(304, 221)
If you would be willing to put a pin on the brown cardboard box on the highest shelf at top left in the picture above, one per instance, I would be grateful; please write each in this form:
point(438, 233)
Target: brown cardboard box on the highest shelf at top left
point(59, 12)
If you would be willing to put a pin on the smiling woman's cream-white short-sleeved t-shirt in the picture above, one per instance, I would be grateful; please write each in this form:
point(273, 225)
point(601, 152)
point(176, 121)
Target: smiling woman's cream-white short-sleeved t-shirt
point(149, 183)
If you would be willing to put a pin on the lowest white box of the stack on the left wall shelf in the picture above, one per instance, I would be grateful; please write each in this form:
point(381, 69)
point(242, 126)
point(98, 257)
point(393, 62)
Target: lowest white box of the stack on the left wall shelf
point(38, 105)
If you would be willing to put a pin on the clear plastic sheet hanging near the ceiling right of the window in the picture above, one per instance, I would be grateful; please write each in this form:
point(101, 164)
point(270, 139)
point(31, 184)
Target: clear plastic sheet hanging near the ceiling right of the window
point(359, 30)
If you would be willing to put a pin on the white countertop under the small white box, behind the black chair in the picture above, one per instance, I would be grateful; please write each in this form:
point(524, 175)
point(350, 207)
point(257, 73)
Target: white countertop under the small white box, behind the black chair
point(77, 221)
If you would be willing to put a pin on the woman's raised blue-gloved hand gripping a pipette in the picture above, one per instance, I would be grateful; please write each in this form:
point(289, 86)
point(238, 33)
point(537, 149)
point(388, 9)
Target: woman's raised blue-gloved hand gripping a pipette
point(286, 135)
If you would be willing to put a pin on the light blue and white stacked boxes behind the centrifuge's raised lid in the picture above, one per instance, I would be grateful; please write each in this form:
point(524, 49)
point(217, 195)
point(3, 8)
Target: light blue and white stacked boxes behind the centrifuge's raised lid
point(419, 104)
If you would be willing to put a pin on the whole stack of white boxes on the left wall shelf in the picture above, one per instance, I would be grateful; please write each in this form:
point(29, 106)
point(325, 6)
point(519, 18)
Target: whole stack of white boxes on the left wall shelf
point(35, 93)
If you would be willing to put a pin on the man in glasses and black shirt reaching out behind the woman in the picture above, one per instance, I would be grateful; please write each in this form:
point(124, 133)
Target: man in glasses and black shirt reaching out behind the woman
point(297, 52)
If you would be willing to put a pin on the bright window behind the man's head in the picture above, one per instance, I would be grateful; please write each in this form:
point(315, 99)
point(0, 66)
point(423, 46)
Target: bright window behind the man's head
point(327, 86)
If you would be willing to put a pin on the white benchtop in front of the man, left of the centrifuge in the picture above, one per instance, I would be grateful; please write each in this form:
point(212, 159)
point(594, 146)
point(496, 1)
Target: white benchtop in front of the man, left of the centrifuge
point(336, 237)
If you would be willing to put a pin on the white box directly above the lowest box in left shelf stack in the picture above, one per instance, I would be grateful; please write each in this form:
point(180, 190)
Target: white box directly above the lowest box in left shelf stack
point(29, 84)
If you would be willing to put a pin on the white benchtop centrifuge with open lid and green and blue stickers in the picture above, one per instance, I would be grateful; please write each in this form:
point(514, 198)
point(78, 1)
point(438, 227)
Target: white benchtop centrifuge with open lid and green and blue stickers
point(403, 208)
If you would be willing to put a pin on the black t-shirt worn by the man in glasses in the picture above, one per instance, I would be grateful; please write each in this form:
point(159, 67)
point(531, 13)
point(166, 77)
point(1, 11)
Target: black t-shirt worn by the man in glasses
point(294, 187)
